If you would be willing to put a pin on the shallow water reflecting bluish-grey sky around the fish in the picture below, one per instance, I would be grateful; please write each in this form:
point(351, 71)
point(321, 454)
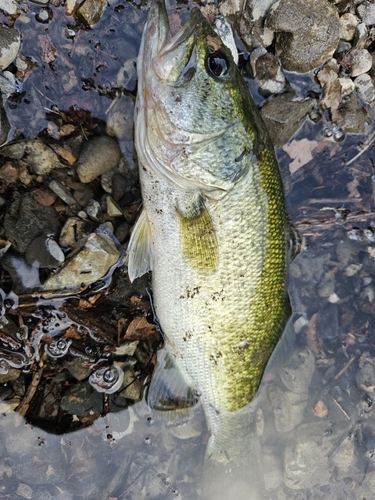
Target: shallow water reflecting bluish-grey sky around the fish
point(313, 432)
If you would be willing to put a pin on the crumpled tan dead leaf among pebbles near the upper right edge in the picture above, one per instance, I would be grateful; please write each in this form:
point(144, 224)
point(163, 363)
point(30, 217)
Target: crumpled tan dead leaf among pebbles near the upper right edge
point(331, 97)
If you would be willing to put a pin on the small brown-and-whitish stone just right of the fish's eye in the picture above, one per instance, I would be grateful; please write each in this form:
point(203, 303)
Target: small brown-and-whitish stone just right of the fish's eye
point(267, 71)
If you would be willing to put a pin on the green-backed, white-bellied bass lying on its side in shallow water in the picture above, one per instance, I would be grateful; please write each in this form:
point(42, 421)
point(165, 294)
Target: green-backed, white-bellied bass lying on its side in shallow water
point(214, 229)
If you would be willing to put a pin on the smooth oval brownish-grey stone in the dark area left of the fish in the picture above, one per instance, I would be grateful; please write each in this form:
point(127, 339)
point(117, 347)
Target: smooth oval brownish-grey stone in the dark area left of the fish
point(99, 155)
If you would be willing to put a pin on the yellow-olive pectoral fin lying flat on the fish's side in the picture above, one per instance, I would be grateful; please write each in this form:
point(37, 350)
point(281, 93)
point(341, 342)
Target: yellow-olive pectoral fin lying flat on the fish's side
point(198, 238)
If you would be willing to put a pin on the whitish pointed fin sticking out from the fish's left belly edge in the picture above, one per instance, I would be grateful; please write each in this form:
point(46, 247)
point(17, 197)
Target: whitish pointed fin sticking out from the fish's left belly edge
point(140, 255)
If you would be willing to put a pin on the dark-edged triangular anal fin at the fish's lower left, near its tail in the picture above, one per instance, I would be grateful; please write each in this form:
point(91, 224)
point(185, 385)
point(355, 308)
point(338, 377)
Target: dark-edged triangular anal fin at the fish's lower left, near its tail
point(169, 389)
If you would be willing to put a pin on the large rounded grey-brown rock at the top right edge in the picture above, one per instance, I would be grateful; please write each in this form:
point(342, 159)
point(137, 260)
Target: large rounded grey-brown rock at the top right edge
point(307, 32)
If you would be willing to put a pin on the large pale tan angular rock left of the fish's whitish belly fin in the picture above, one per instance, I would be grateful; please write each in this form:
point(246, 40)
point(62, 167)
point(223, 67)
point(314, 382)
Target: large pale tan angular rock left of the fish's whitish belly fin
point(90, 264)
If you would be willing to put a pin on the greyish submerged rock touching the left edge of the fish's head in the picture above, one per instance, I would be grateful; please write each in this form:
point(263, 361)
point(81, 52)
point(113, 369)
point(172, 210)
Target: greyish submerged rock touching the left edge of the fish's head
point(120, 119)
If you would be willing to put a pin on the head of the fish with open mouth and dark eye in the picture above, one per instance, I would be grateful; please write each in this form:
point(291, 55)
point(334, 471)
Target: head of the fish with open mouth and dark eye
point(194, 114)
